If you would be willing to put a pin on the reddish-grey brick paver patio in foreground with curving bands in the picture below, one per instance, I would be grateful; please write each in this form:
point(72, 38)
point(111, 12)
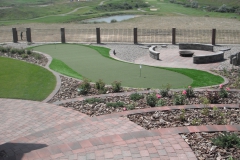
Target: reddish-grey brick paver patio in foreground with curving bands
point(35, 130)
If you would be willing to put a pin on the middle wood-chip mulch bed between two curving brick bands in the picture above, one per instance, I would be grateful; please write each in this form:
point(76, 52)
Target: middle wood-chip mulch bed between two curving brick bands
point(186, 117)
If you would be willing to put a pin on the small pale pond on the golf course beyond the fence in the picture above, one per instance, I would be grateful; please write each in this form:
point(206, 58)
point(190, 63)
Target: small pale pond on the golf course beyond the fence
point(108, 19)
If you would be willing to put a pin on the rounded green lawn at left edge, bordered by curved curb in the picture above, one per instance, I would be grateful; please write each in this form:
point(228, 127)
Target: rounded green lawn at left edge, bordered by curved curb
point(21, 80)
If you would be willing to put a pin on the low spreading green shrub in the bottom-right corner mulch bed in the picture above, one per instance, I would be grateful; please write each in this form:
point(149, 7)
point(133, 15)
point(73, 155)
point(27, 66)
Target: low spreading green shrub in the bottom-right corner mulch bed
point(227, 140)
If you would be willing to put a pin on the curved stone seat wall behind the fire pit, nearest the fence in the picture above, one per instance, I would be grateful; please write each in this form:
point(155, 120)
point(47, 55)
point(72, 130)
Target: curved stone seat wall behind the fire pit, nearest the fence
point(196, 46)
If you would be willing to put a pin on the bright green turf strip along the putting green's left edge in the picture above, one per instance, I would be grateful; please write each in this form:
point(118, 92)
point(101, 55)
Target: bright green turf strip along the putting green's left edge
point(61, 67)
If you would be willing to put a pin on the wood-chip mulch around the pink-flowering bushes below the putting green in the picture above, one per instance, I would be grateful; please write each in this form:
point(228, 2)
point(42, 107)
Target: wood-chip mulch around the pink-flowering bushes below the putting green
point(99, 106)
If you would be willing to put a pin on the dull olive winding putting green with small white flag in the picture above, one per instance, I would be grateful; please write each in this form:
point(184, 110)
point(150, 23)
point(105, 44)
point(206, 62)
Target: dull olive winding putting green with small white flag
point(92, 65)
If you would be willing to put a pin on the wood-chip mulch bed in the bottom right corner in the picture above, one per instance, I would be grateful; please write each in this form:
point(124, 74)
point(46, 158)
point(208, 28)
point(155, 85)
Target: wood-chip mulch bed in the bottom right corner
point(204, 149)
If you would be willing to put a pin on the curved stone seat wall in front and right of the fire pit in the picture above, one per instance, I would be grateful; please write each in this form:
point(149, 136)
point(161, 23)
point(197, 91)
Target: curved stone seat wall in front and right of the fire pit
point(216, 57)
